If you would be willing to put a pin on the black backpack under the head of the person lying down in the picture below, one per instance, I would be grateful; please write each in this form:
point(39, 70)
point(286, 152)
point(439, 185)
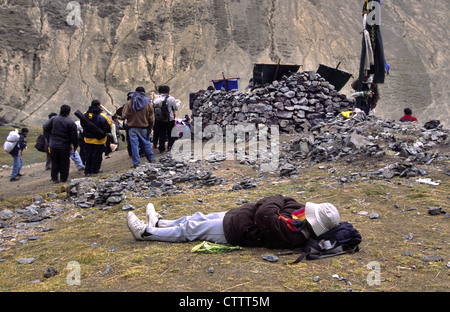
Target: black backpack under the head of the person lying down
point(340, 240)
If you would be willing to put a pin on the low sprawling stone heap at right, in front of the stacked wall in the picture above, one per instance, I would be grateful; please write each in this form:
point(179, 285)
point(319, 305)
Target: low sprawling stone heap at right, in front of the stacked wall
point(368, 136)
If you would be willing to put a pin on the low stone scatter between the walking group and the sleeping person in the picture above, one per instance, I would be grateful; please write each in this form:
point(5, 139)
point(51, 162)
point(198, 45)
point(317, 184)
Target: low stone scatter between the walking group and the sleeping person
point(149, 180)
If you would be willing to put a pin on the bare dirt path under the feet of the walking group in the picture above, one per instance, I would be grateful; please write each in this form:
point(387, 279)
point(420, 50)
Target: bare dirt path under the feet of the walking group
point(36, 180)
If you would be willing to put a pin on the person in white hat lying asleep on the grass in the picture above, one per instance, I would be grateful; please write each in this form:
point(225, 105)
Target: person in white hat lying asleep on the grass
point(273, 222)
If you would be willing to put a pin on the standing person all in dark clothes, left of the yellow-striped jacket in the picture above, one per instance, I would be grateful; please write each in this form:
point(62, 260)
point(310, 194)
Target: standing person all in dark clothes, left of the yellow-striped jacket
point(62, 135)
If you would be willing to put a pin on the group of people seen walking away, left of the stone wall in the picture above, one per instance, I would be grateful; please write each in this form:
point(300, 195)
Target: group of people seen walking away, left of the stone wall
point(97, 135)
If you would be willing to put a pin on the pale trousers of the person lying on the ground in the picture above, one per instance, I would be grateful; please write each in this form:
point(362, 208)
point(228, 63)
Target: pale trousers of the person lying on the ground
point(196, 227)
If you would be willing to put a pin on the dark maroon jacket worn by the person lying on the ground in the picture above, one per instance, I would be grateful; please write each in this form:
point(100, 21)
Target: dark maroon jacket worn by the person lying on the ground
point(260, 225)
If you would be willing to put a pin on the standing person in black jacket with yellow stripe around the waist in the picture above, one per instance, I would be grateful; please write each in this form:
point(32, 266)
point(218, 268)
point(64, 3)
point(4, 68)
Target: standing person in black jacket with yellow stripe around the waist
point(95, 144)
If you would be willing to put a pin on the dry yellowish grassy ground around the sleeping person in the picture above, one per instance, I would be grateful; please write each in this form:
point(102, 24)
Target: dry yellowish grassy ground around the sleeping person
point(97, 240)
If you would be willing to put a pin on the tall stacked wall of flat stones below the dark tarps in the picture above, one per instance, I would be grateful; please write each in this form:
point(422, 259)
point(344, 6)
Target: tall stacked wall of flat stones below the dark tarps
point(295, 104)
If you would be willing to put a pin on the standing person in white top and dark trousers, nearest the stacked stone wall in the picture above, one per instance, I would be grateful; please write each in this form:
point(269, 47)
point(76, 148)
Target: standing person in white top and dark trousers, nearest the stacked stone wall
point(164, 106)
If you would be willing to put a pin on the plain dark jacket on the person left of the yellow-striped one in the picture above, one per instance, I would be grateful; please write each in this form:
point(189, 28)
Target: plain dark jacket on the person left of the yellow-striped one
point(61, 132)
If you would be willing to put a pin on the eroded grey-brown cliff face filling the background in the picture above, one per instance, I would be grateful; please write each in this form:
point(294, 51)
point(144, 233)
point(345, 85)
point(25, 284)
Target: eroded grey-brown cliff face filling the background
point(46, 62)
